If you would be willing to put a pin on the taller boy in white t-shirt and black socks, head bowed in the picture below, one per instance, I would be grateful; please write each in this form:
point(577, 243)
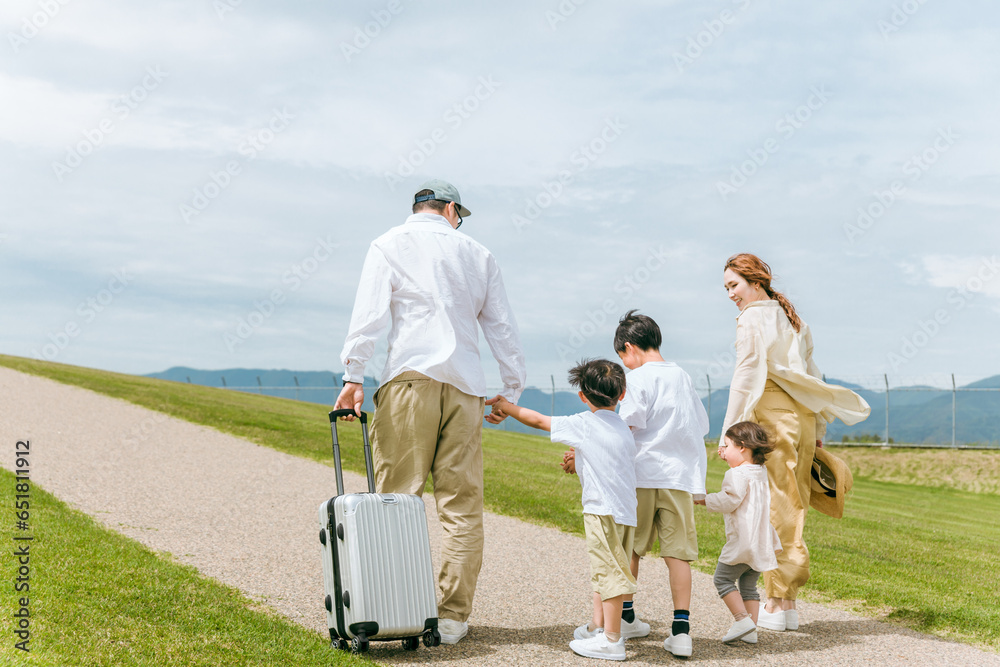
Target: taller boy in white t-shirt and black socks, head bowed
point(669, 424)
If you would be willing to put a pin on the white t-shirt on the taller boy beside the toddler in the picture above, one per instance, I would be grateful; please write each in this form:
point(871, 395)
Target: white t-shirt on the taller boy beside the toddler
point(669, 424)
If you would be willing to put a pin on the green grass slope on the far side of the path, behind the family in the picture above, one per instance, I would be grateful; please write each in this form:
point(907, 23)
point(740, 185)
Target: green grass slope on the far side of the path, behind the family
point(923, 557)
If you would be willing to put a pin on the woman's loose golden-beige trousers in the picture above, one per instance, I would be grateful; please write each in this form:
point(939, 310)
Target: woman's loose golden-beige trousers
point(792, 430)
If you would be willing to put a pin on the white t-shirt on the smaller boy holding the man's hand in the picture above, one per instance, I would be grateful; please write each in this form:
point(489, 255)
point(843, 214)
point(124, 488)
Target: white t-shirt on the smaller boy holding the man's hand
point(605, 462)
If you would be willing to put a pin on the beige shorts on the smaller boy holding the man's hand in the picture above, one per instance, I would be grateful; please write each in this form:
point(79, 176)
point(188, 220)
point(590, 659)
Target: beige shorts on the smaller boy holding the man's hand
point(609, 546)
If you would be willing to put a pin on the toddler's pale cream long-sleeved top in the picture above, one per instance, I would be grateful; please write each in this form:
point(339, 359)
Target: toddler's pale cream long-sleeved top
point(746, 502)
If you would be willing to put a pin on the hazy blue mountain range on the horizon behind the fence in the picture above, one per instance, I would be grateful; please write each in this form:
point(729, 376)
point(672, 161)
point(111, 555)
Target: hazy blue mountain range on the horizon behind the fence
point(917, 414)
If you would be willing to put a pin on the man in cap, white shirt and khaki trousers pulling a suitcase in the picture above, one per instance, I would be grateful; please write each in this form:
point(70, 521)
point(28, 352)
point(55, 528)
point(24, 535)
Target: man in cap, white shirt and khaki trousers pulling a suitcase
point(429, 284)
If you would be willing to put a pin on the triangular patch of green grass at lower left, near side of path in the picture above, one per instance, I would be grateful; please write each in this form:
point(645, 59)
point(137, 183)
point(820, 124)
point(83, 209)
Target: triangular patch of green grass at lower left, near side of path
point(99, 598)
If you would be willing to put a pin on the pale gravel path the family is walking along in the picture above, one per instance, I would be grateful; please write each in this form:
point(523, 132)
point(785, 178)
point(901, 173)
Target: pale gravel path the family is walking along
point(246, 515)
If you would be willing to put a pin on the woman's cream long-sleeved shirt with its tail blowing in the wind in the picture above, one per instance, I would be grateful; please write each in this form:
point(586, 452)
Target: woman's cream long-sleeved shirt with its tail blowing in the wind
point(767, 347)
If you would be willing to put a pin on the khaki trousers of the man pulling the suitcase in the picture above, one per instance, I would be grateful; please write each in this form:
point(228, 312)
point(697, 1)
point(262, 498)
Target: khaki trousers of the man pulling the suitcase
point(422, 426)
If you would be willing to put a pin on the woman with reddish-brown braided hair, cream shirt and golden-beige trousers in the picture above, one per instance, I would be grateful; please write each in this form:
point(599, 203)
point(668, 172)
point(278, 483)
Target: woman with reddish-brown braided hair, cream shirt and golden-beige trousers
point(777, 385)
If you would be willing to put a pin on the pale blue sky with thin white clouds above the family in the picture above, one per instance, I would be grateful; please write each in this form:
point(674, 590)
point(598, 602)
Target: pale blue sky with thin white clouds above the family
point(196, 183)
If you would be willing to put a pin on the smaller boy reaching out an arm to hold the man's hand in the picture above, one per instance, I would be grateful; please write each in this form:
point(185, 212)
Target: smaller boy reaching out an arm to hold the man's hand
point(606, 465)
